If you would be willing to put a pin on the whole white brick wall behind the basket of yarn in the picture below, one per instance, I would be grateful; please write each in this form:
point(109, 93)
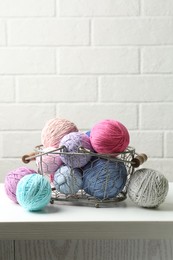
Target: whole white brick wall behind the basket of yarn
point(86, 60)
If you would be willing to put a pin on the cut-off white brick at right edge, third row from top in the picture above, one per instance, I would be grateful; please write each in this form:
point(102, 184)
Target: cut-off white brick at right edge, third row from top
point(157, 60)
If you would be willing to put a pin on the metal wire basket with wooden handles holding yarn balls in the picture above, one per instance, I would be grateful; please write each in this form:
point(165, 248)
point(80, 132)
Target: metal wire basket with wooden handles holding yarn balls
point(129, 158)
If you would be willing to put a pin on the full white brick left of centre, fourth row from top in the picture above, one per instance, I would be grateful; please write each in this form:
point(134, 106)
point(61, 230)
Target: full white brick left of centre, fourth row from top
point(56, 89)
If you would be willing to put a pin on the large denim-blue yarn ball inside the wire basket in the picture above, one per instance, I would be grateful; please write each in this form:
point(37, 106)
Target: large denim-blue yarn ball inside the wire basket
point(104, 179)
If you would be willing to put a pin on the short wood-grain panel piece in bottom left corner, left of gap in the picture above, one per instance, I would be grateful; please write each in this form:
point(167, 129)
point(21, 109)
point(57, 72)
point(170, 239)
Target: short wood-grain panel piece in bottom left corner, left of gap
point(7, 250)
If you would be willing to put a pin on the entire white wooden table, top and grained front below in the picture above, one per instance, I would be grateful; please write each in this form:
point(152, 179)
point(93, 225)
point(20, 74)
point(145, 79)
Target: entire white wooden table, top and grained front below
point(86, 227)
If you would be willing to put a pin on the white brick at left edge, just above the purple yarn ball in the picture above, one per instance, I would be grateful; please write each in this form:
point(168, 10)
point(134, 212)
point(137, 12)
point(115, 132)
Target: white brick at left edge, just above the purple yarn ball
point(11, 164)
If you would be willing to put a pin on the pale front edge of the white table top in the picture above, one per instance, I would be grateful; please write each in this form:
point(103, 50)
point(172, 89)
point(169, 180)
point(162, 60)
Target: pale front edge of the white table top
point(86, 230)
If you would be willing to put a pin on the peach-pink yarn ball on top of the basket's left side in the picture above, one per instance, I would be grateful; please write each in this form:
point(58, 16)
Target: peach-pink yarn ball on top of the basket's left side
point(54, 130)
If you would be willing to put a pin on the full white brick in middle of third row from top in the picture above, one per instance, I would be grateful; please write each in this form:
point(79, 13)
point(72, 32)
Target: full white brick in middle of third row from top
point(98, 60)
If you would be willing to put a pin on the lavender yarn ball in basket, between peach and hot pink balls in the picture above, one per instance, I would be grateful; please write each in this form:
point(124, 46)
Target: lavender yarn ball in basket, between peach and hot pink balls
point(72, 142)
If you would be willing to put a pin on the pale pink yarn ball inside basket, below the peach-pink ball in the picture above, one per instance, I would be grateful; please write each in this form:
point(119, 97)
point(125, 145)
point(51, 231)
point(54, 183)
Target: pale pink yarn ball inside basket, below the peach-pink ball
point(50, 162)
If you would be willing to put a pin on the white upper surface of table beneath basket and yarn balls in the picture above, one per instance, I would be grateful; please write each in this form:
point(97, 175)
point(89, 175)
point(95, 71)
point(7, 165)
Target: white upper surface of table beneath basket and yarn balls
point(67, 212)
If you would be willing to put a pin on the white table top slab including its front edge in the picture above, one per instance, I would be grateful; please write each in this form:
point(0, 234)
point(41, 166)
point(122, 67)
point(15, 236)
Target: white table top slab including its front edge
point(64, 215)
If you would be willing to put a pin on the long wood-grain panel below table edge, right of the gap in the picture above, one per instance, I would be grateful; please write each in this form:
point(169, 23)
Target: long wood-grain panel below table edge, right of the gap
point(94, 249)
